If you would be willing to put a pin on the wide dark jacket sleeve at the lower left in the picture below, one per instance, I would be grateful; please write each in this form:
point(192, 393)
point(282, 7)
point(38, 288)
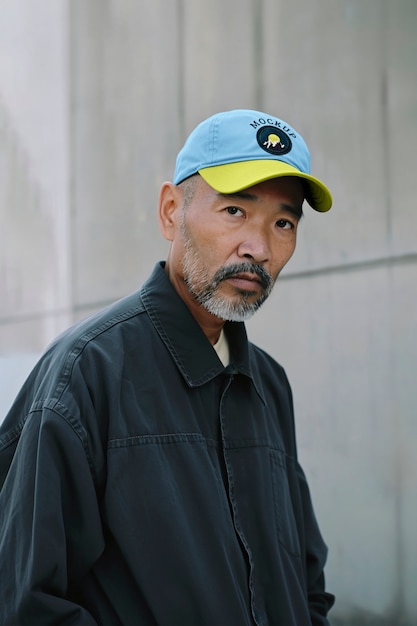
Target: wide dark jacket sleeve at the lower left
point(50, 527)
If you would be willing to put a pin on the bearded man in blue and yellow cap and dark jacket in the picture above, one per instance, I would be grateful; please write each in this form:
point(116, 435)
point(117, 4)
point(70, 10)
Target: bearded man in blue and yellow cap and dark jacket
point(149, 463)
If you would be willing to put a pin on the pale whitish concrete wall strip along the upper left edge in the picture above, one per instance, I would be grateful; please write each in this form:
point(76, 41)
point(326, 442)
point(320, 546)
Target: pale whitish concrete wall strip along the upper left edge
point(34, 173)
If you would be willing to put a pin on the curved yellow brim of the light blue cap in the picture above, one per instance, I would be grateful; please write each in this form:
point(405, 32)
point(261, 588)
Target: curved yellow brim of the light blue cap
point(233, 177)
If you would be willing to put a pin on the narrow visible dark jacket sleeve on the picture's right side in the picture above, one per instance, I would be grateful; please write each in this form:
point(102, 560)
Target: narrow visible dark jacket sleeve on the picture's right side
point(320, 602)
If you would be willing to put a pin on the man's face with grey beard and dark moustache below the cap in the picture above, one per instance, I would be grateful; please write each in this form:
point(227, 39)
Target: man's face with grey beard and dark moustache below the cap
point(228, 250)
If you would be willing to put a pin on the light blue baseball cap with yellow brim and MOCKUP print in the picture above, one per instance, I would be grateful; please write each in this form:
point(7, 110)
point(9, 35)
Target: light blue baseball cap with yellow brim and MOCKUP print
point(234, 150)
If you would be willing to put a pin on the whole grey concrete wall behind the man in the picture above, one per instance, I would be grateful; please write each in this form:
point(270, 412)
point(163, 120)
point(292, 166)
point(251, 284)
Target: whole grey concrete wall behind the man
point(95, 100)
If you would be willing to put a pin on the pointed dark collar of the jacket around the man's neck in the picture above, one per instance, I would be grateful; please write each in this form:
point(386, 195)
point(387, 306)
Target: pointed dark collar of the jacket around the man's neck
point(182, 335)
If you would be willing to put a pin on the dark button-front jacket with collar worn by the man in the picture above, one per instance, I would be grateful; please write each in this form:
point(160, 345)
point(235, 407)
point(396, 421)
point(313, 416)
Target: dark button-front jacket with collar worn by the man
point(144, 483)
